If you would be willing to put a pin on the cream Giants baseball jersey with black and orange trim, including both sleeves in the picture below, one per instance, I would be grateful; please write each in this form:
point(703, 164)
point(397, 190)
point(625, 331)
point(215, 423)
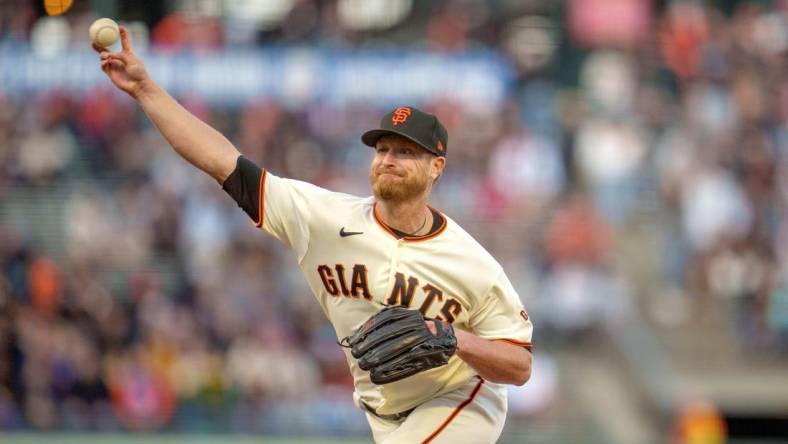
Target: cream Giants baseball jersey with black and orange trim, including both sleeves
point(355, 265)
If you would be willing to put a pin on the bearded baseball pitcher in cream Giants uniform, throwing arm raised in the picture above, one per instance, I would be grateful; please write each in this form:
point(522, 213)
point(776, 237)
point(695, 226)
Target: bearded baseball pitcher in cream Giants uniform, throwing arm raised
point(431, 327)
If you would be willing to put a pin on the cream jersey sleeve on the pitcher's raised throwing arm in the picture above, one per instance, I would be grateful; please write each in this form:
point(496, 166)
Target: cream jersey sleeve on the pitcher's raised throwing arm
point(286, 207)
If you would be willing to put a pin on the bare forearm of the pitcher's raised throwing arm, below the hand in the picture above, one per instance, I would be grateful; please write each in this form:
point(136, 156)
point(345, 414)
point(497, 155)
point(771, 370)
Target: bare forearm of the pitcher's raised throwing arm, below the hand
point(193, 139)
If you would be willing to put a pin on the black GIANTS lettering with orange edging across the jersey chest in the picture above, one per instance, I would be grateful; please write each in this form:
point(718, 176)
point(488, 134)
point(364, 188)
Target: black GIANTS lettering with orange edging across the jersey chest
point(402, 293)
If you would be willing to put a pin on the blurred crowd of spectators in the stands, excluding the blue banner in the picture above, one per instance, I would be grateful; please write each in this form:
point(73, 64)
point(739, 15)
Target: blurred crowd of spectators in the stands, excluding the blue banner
point(163, 304)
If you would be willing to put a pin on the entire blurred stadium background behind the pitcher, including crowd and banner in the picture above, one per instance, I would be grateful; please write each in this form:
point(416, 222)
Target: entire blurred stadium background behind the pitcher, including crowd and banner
point(626, 161)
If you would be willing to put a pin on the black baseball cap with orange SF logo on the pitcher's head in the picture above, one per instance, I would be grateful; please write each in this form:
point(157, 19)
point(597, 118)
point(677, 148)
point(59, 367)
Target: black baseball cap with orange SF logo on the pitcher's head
point(414, 124)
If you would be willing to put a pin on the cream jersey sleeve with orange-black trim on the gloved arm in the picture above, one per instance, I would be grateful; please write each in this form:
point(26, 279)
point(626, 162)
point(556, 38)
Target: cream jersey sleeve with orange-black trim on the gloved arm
point(501, 315)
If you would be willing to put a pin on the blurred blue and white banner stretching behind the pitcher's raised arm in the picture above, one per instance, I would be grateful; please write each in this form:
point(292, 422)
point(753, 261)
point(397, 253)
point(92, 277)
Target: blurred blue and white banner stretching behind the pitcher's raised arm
point(294, 76)
